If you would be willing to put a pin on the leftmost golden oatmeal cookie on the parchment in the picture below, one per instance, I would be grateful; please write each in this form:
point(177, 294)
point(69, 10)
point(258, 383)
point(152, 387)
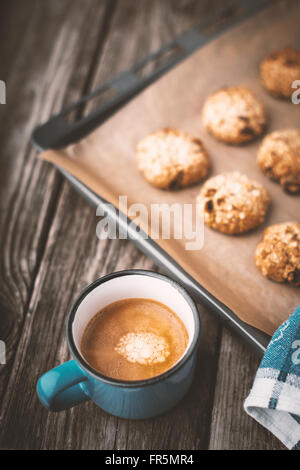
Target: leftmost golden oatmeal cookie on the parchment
point(171, 159)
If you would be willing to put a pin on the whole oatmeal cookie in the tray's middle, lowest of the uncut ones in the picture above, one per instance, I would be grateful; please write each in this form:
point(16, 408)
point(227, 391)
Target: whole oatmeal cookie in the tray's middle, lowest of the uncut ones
point(232, 203)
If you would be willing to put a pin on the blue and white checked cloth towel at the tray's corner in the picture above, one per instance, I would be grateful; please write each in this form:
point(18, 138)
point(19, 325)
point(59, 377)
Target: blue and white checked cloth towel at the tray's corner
point(274, 400)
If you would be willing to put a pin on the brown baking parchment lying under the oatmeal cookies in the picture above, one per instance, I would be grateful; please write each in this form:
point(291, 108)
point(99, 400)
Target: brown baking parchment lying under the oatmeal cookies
point(105, 162)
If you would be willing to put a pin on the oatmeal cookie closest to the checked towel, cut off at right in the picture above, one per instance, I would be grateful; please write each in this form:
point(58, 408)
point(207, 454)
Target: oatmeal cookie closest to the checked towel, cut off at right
point(278, 253)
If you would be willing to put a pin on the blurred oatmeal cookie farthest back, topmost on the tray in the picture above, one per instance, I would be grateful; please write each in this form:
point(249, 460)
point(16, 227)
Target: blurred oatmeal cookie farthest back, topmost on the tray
point(279, 70)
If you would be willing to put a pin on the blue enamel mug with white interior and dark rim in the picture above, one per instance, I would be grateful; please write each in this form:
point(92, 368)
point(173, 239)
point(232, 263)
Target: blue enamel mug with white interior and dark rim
point(76, 381)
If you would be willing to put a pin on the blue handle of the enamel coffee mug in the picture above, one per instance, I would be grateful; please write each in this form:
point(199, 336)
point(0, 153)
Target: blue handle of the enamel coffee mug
point(59, 388)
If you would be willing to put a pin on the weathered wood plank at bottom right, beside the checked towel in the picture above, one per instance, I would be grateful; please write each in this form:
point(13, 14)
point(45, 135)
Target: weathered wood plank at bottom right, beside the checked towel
point(231, 427)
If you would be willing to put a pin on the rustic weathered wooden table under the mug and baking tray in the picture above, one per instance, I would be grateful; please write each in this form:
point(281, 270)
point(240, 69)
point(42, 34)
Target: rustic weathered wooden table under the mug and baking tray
point(51, 53)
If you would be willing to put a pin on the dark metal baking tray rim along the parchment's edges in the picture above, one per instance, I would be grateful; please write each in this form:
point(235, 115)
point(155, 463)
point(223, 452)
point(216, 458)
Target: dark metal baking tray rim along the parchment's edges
point(58, 133)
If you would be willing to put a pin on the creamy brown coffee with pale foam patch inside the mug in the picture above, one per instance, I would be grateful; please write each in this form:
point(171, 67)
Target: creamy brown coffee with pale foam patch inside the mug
point(134, 339)
